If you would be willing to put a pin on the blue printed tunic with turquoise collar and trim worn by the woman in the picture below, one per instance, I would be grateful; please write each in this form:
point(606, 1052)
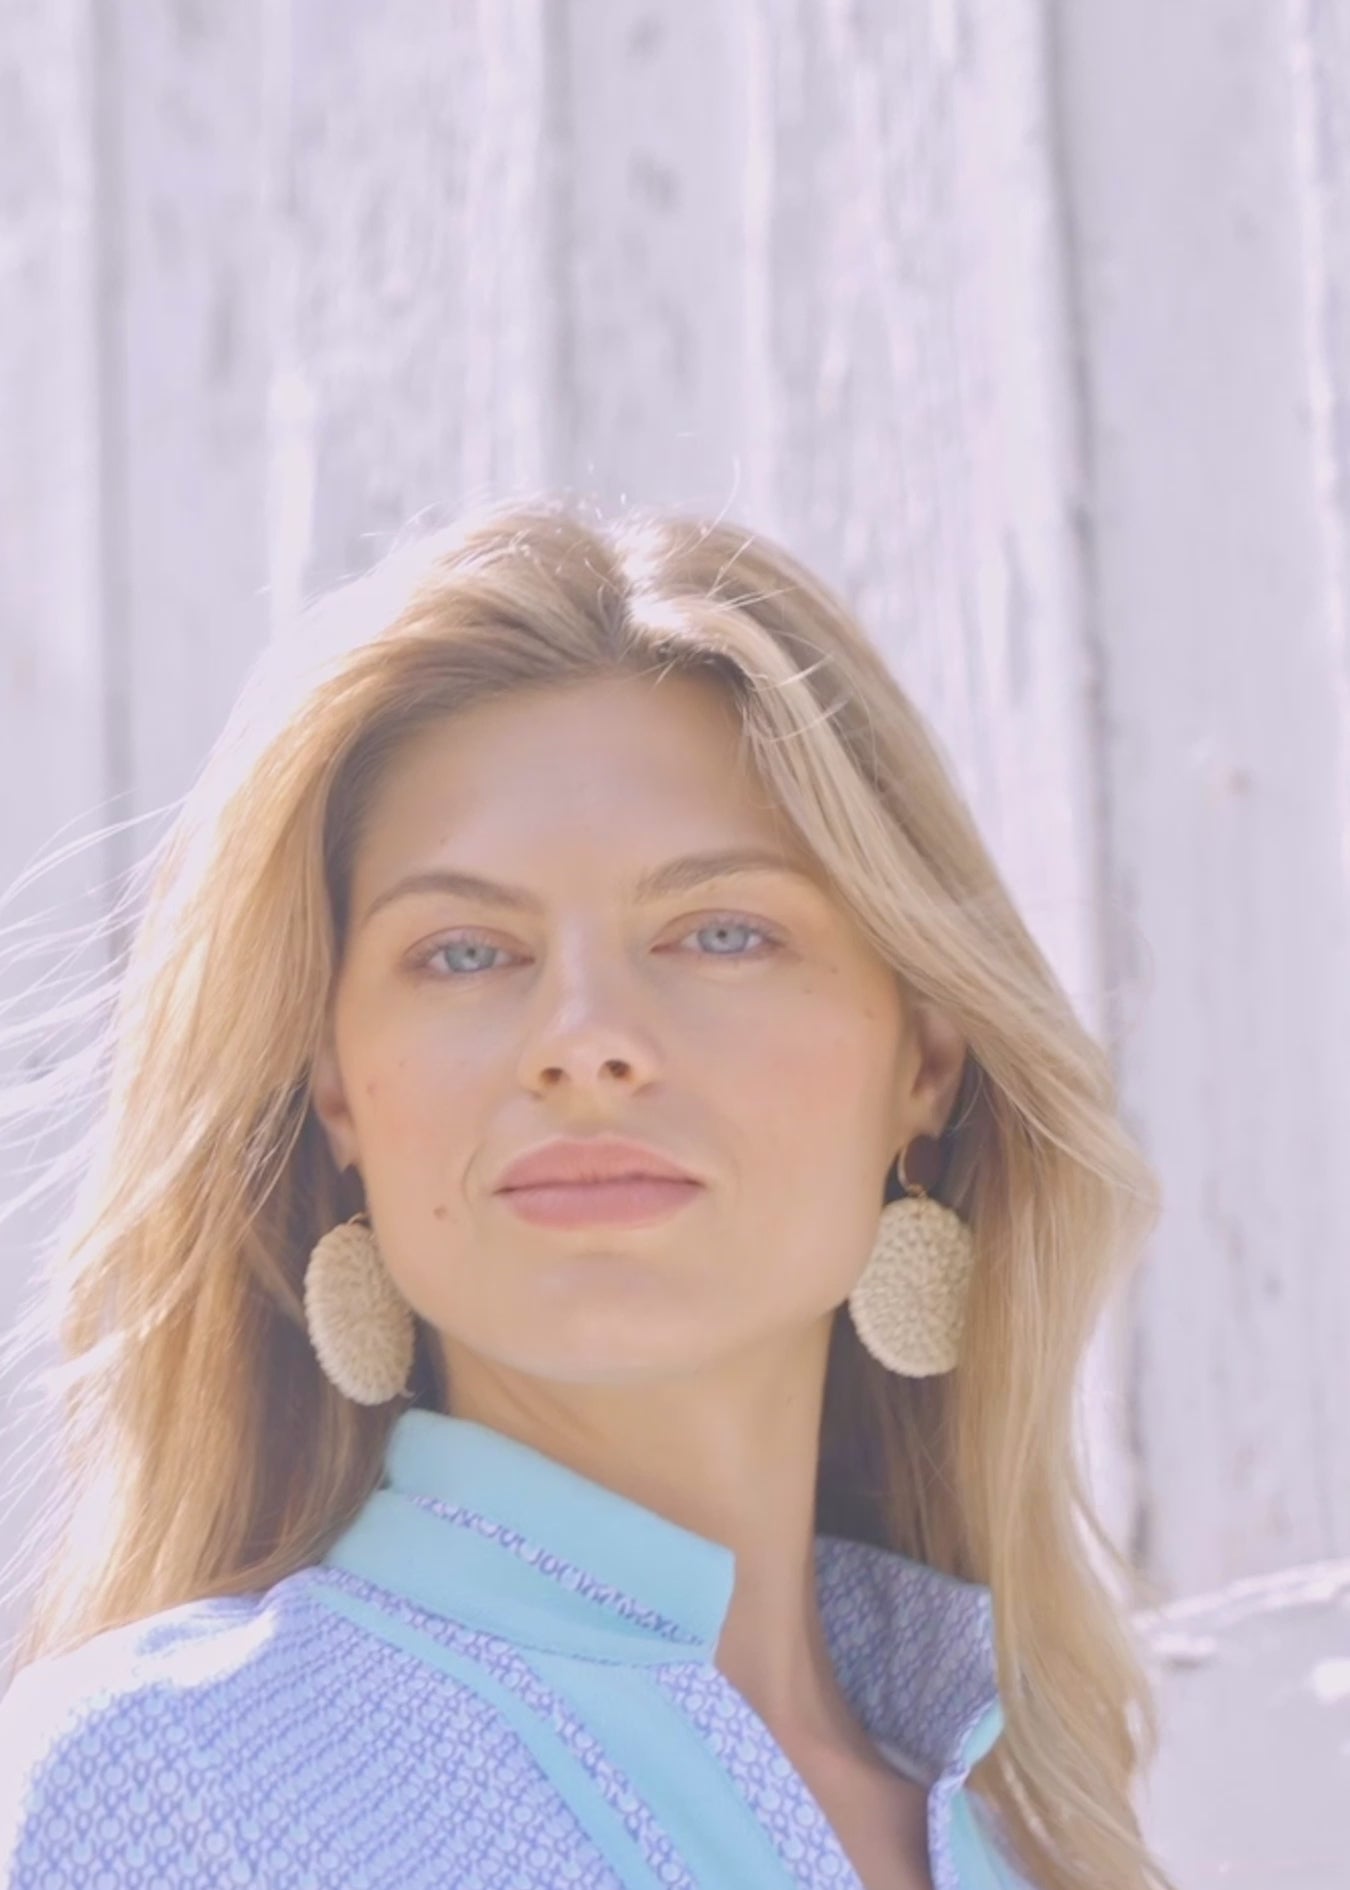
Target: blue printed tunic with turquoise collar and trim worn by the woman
point(498, 1679)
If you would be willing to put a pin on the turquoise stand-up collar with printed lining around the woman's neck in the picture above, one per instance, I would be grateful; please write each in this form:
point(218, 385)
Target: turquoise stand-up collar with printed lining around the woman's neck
point(483, 1530)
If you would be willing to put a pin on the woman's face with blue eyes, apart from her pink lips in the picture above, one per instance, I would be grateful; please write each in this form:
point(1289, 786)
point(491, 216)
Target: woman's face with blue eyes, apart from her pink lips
point(742, 1027)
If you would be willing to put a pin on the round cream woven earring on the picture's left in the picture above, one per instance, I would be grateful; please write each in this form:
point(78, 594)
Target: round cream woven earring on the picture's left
point(358, 1322)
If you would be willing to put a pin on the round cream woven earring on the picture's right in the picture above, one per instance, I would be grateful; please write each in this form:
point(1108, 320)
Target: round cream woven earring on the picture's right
point(910, 1303)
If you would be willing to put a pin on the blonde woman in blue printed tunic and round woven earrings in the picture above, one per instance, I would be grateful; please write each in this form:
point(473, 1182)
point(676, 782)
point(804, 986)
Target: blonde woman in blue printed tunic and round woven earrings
point(574, 1309)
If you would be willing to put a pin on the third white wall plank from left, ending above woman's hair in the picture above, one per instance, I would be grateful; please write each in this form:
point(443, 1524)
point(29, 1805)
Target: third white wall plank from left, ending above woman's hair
point(419, 345)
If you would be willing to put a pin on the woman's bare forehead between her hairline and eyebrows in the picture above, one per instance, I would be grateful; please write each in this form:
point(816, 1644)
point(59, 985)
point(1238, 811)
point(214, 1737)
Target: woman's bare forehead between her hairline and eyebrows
point(634, 765)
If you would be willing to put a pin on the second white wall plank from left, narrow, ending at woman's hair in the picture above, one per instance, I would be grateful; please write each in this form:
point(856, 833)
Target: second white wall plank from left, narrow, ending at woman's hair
point(188, 358)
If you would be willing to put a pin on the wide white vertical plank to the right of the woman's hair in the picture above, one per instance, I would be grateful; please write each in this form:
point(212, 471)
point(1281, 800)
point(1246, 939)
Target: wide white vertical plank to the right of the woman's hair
point(1224, 740)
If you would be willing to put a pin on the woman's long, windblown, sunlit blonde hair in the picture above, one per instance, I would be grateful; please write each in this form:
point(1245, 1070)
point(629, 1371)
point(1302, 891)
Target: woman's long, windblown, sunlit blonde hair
point(175, 1284)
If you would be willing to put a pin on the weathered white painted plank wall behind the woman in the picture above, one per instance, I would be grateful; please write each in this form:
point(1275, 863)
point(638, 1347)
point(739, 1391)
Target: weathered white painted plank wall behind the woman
point(1026, 320)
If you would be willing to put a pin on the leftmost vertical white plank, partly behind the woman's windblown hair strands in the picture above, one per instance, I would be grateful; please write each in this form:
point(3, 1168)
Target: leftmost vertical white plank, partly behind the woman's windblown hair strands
point(52, 678)
